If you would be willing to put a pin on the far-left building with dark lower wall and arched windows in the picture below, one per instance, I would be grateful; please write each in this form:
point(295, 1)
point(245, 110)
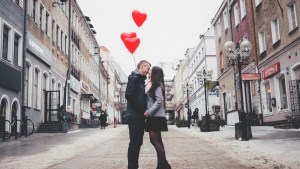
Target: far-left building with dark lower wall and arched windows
point(11, 60)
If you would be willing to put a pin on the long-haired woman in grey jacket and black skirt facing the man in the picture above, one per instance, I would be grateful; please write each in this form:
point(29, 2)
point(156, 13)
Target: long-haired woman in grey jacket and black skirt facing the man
point(155, 114)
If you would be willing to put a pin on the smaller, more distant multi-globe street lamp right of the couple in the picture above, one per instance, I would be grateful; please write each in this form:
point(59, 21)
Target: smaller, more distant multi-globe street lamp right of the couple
point(202, 77)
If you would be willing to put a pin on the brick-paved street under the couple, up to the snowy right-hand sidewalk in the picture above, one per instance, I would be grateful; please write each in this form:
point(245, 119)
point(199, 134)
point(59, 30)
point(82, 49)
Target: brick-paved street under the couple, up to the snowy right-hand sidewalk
point(106, 149)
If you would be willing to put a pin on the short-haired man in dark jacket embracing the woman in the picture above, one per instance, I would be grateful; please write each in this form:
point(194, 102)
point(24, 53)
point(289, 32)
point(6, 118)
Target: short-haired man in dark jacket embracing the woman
point(136, 106)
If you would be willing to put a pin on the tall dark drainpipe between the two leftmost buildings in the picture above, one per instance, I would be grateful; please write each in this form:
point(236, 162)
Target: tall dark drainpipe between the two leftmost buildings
point(23, 71)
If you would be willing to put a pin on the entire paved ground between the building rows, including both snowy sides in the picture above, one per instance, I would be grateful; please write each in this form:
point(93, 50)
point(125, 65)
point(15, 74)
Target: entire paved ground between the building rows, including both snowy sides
point(185, 148)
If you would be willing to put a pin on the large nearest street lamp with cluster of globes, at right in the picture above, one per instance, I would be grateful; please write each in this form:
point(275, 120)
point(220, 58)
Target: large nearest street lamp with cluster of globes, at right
point(236, 56)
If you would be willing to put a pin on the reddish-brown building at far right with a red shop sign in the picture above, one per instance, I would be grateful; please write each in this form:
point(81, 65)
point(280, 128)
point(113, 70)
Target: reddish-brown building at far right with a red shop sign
point(278, 43)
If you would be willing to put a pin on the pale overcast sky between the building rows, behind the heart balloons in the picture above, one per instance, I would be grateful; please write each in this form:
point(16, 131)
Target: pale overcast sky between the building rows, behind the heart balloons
point(171, 27)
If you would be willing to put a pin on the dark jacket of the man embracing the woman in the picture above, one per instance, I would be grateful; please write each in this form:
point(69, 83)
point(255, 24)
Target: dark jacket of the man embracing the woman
point(135, 95)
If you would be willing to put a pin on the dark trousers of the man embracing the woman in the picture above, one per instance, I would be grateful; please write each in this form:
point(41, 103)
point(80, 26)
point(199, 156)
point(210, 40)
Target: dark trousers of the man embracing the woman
point(136, 134)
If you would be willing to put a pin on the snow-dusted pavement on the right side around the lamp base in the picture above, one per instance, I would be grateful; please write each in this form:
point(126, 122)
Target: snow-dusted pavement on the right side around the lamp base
point(268, 149)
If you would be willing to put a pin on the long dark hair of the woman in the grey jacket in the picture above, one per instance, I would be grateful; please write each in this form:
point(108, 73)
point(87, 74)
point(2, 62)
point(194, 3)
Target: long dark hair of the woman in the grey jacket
point(157, 79)
